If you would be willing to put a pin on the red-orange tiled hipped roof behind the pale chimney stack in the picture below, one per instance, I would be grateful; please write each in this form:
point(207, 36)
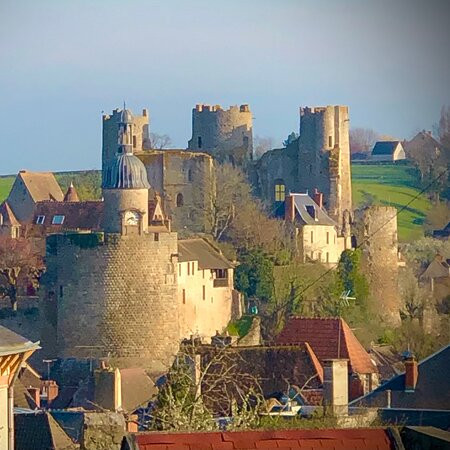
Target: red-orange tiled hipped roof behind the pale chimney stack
point(328, 338)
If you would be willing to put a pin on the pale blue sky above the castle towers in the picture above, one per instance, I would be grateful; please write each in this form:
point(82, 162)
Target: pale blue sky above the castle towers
point(64, 62)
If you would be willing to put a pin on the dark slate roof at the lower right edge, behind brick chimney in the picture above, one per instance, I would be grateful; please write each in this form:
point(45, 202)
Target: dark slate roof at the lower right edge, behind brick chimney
point(432, 389)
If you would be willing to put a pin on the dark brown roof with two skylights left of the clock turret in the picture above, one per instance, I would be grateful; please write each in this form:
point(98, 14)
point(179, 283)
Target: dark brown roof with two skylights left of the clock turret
point(77, 215)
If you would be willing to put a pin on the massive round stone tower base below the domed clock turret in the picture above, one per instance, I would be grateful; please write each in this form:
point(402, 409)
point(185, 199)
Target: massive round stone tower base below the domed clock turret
point(114, 299)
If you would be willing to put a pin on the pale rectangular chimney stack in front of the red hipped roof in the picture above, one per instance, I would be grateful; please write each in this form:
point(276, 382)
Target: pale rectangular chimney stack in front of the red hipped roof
point(335, 386)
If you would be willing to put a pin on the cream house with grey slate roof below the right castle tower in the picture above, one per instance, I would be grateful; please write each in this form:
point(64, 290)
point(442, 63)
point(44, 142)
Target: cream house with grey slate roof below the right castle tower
point(316, 234)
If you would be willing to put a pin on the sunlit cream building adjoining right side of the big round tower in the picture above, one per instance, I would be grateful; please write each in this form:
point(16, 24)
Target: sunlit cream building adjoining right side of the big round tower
point(206, 295)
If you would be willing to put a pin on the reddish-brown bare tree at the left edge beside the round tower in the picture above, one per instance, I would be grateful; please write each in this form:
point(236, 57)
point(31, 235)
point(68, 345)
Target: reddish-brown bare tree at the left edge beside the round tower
point(19, 264)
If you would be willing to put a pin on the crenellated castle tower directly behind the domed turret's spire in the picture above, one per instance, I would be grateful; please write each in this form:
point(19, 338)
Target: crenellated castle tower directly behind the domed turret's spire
point(139, 129)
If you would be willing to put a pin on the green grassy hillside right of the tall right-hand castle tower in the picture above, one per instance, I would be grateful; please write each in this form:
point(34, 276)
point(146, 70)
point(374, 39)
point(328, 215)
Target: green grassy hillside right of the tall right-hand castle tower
point(393, 185)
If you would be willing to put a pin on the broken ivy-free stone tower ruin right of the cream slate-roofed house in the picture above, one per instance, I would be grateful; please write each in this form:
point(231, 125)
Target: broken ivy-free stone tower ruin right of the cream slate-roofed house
point(377, 238)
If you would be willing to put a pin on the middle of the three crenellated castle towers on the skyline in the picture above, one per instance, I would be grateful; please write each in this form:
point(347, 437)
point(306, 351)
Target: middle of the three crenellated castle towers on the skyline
point(224, 134)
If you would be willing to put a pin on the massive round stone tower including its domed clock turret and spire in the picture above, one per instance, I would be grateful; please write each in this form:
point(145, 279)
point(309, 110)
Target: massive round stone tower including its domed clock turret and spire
point(113, 294)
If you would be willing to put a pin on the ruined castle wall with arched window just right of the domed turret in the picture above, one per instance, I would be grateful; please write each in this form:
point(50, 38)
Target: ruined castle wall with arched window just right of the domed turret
point(189, 174)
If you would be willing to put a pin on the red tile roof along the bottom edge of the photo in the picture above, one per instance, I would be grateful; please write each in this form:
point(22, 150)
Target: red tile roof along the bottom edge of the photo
point(339, 439)
